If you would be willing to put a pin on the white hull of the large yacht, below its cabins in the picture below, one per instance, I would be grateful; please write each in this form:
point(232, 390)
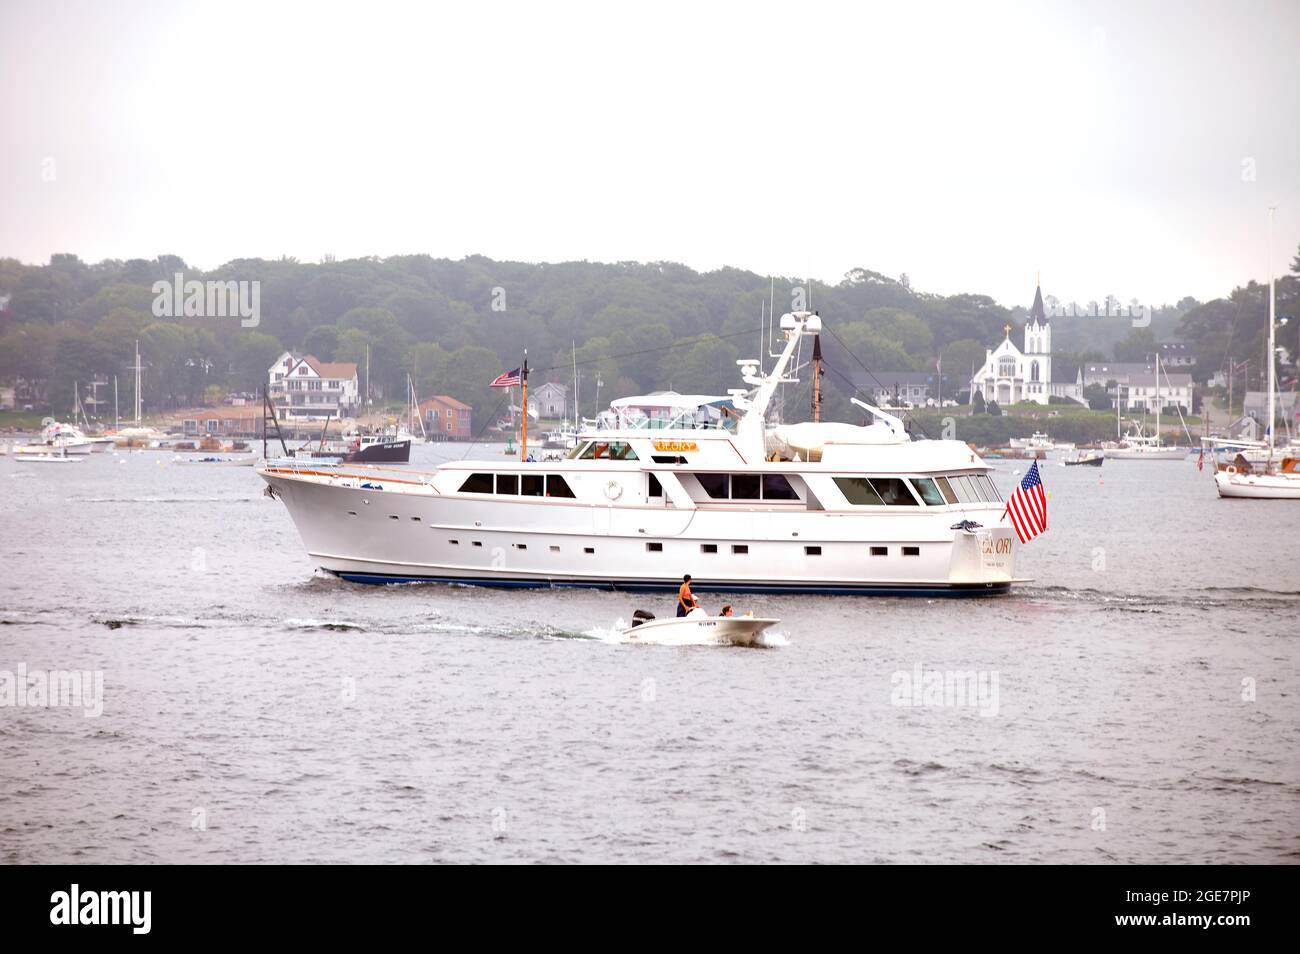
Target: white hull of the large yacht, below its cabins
point(371, 536)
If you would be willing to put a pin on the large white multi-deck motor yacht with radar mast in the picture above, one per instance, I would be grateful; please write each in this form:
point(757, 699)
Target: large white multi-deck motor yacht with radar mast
point(666, 485)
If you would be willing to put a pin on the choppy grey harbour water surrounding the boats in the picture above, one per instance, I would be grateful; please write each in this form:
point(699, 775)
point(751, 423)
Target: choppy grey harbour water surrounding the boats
point(258, 712)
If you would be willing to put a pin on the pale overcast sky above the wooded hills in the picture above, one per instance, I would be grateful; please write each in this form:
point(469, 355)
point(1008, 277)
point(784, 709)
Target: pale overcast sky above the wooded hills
point(1108, 146)
